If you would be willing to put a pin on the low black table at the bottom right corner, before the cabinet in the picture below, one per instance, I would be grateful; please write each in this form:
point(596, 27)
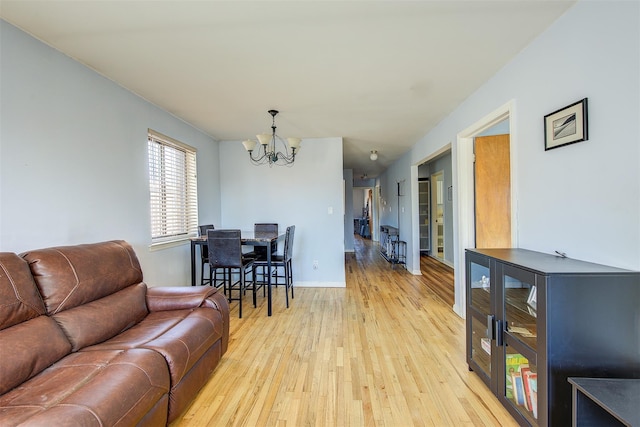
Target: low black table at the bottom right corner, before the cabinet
point(605, 402)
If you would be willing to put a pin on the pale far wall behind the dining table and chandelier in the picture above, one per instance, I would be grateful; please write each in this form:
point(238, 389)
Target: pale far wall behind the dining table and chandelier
point(301, 195)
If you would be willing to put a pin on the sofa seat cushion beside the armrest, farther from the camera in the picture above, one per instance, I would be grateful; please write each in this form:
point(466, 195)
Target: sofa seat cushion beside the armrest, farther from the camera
point(181, 336)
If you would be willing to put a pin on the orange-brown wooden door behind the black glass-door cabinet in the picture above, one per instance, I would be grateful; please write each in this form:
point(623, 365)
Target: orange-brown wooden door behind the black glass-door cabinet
point(492, 191)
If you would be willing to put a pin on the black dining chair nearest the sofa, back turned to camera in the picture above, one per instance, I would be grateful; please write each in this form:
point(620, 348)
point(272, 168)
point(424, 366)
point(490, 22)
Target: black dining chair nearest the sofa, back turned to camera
point(225, 251)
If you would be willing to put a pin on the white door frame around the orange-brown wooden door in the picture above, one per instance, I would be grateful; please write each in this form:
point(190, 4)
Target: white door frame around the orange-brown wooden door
point(464, 233)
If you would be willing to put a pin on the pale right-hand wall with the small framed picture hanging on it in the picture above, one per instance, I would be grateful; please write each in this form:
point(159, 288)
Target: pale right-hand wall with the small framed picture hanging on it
point(582, 199)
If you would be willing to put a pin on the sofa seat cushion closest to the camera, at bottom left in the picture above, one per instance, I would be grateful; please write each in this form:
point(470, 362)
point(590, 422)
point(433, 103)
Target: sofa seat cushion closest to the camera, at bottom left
point(97, 388)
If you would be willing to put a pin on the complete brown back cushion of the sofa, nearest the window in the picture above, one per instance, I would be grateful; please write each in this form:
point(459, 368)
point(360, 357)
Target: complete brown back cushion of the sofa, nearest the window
point(94, 291)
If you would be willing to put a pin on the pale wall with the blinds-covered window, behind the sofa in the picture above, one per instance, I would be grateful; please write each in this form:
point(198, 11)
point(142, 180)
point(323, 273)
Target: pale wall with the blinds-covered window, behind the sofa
point(73, 158)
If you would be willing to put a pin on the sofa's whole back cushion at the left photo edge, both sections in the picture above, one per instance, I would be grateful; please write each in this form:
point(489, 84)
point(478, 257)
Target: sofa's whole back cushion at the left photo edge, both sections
point(29, 340)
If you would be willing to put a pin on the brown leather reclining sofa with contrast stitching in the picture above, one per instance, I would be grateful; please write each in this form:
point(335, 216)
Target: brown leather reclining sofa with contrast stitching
point(83, 341)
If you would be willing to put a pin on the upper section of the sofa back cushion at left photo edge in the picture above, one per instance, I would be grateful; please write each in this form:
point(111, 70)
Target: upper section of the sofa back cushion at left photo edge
point(19, 298)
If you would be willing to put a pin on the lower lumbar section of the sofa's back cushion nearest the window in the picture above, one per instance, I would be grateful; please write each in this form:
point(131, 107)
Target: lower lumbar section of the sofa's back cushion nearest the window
point(102, 319)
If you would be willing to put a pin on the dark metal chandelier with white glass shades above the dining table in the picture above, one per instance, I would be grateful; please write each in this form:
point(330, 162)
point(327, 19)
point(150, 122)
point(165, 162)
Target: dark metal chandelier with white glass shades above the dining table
point(269, 153)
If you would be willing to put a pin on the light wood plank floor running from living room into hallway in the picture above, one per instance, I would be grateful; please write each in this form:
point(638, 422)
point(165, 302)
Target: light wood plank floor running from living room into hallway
point(384, 351)
